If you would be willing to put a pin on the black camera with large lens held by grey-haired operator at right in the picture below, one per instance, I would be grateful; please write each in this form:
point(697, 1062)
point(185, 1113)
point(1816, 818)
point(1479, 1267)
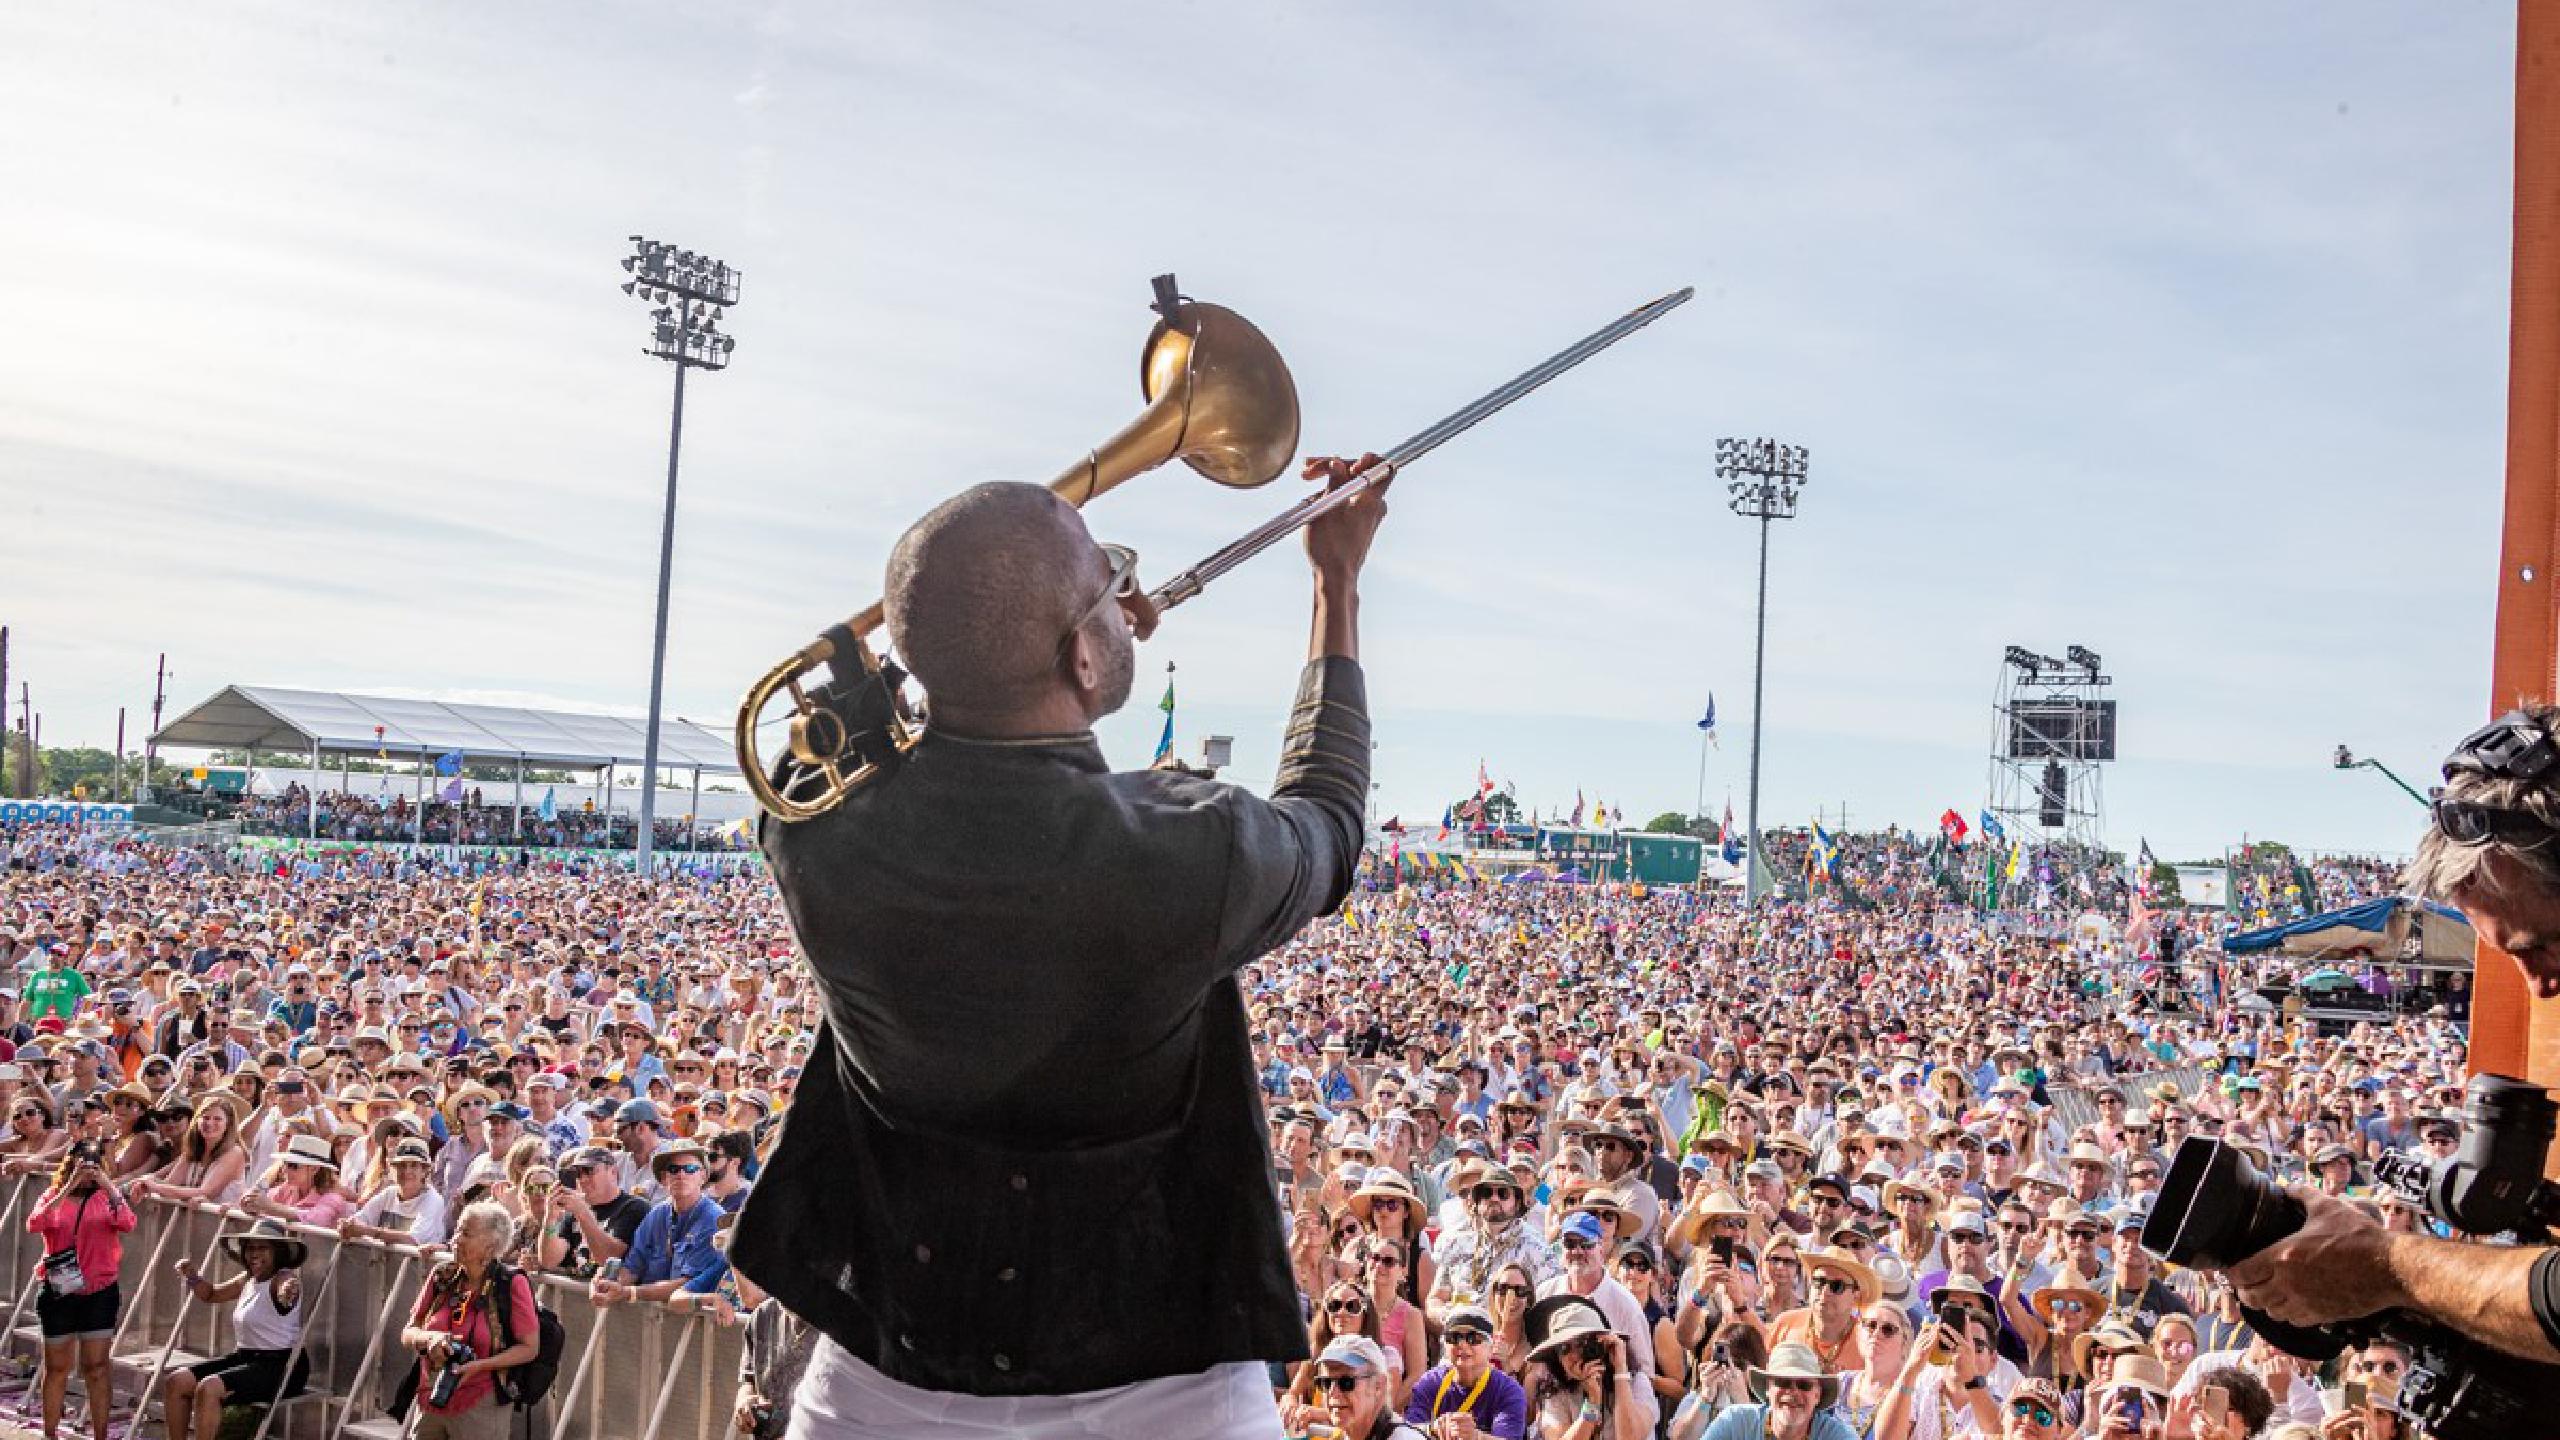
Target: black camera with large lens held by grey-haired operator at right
point(2218, 1211)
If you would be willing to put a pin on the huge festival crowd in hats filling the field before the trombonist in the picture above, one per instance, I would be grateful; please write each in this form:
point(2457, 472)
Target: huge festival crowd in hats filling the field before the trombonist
point(1563, 1162)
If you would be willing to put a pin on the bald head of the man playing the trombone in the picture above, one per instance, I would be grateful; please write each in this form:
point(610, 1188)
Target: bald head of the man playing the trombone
point(982, 593)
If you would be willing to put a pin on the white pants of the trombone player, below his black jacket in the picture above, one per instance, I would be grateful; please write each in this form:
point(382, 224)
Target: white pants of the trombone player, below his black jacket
point(846, 1400)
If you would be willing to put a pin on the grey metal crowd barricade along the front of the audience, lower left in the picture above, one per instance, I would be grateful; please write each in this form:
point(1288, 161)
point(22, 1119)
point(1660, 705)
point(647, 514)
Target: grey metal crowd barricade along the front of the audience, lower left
point(634, 1372)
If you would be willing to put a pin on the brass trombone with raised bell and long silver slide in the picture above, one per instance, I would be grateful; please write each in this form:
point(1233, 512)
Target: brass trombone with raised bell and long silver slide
point(1220, 401)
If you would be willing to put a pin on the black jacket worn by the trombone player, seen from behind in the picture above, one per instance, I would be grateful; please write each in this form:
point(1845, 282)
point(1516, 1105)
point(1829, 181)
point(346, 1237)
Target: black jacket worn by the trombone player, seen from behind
point(1028, 1154)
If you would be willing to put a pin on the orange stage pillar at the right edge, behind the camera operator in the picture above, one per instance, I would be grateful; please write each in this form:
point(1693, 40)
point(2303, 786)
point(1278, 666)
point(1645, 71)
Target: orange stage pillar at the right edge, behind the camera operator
point(2510, 1034)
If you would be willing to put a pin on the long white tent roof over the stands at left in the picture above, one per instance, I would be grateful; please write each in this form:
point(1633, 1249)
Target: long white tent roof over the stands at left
point(275, 719)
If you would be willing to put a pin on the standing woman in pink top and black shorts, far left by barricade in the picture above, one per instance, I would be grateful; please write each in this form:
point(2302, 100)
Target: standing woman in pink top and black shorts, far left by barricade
point(83, 1223)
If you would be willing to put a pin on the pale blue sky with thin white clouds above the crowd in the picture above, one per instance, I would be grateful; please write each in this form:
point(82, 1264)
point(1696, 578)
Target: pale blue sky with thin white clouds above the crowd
point(2177, 332)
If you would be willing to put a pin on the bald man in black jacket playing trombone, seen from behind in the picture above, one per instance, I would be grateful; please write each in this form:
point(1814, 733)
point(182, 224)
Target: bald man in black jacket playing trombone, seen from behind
point(1025, 1182)
